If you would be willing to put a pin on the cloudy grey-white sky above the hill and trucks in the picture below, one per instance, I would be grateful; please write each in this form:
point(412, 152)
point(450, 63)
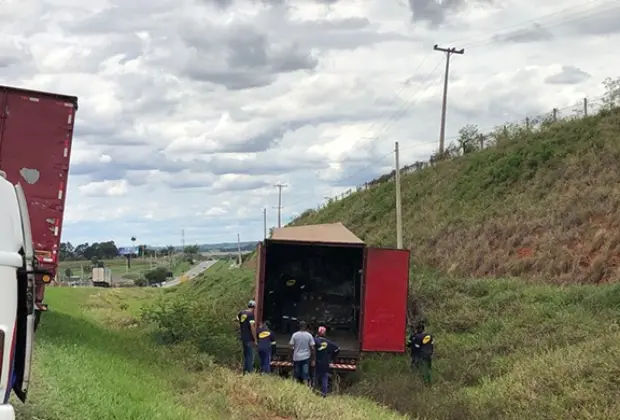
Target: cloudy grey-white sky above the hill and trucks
point(191, 110)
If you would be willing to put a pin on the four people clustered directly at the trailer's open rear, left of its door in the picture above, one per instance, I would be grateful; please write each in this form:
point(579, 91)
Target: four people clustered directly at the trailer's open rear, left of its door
point(307, 351)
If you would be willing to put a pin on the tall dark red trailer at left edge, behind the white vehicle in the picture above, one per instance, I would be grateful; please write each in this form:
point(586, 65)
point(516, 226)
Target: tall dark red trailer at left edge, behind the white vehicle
point(36, 131)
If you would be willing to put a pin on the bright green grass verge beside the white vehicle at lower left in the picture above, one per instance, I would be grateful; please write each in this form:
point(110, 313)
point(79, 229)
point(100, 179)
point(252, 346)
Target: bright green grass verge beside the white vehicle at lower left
point(95, 360)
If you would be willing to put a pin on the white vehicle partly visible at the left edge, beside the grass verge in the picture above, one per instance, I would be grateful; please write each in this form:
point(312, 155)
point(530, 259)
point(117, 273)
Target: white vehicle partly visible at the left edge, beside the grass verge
point(17, 296)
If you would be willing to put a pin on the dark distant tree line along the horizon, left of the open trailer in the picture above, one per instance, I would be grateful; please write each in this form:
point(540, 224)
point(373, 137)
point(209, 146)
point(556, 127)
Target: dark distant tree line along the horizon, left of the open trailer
point(108, 250)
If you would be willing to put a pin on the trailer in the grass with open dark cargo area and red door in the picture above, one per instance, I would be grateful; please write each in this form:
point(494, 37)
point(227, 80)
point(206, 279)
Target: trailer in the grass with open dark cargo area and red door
point(359, 293)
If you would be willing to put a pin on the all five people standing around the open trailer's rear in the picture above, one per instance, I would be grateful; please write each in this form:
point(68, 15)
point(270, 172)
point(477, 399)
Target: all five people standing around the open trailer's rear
point(309, 351)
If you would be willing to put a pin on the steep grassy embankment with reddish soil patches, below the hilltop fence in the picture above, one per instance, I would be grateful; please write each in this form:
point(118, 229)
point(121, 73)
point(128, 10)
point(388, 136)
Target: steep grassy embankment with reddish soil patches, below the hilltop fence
point(541, 204)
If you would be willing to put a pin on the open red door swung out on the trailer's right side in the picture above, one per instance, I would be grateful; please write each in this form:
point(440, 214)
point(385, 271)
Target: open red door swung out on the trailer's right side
point(386, 292)
